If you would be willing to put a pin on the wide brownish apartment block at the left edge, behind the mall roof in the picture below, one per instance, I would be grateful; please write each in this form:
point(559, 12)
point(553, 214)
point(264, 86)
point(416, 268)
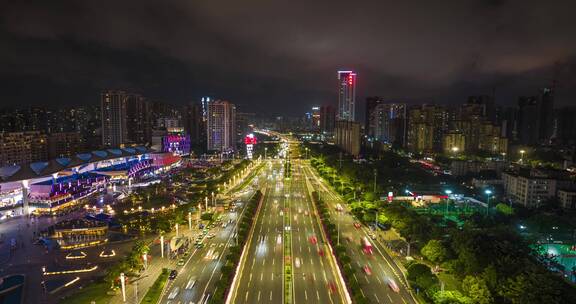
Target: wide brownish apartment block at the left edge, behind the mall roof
point(22, 147)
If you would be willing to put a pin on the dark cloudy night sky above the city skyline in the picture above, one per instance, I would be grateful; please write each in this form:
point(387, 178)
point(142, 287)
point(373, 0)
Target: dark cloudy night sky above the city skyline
point(282, 56)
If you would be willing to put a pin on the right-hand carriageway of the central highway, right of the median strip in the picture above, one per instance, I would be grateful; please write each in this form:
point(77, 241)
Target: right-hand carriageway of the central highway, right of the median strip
point(312, 285)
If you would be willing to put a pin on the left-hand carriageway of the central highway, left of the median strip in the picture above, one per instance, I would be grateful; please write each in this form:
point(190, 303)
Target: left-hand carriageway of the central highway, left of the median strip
point(262, 263)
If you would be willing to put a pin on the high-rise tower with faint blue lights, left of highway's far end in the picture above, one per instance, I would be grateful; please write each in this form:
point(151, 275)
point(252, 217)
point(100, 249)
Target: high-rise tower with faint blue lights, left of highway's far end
point(221, 129)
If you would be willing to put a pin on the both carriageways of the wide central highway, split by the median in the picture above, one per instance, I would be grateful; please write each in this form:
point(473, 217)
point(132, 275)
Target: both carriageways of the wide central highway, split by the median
point(287, 206)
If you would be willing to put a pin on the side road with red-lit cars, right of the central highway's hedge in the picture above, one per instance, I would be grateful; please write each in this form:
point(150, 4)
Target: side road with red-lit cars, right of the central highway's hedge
point(375, 285)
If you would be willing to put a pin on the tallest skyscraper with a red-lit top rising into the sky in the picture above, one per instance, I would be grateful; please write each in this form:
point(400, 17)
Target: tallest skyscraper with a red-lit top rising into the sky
point(346, 95)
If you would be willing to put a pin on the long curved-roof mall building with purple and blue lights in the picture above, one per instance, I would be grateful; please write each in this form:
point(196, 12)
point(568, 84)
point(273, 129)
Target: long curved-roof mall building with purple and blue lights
point(46, 187)
